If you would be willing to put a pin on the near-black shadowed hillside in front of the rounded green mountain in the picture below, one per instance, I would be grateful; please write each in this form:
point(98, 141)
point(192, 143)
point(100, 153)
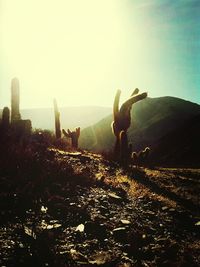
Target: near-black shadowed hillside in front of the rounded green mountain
point(181, 147)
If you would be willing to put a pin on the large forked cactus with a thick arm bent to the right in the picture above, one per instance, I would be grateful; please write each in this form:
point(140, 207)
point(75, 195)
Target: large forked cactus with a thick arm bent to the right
point(122, 121)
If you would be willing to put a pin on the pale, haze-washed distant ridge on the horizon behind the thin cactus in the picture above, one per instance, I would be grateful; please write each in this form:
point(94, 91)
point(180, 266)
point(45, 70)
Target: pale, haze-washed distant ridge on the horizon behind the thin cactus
point(70, 117)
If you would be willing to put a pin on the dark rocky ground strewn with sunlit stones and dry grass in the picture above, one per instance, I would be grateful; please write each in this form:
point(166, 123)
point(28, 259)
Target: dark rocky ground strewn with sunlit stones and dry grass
point(79, 209)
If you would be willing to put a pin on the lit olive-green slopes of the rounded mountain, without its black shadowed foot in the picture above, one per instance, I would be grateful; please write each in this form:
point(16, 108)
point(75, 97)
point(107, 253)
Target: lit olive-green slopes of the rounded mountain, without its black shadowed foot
point(152, 119)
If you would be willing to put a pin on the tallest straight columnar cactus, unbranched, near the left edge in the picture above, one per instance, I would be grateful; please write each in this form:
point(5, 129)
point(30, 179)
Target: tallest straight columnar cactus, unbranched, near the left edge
point(15, 100)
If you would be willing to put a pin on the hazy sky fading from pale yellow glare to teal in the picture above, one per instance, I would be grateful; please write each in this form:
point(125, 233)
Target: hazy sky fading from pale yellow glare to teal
point(82, 51)
